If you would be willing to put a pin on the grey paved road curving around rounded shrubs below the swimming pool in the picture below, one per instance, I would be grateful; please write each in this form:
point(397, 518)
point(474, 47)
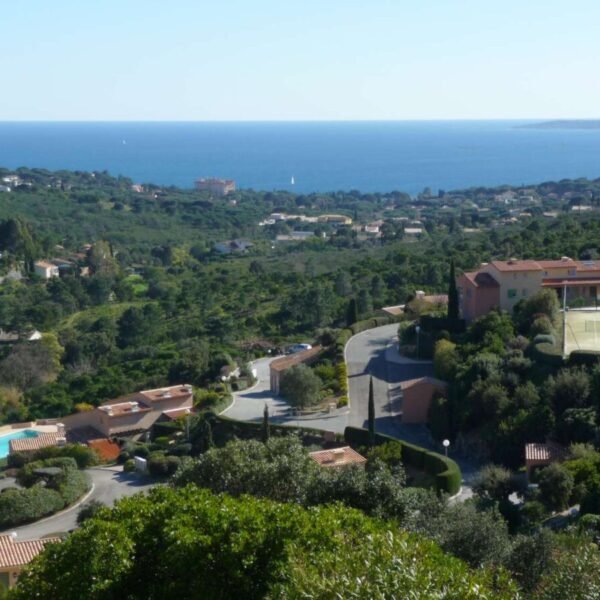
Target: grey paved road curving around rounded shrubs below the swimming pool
point(110, 484)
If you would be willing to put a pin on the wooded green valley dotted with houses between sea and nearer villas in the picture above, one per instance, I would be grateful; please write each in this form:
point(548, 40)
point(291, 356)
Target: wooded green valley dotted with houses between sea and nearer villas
point(145, 299)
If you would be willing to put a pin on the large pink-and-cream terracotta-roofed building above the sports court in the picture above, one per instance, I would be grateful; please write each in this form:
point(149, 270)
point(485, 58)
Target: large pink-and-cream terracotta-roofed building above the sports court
point(501, 284)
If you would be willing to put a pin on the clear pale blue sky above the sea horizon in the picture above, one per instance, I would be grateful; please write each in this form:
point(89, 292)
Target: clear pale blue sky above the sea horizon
point(220, 60)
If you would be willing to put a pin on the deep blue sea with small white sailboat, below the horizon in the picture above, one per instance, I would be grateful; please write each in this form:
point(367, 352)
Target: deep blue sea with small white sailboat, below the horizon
point(320, 156)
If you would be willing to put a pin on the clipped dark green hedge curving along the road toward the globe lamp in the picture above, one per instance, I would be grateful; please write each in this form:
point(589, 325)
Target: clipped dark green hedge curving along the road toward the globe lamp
point(446, 472)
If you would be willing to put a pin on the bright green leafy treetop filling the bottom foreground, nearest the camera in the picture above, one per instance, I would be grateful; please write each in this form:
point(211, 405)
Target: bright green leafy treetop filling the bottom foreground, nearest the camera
point(156, 546)
